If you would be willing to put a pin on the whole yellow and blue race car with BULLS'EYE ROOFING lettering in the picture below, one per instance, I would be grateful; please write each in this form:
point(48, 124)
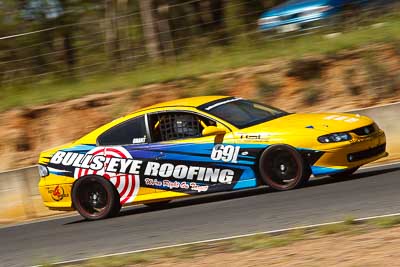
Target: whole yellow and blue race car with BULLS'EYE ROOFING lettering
point(202, 145)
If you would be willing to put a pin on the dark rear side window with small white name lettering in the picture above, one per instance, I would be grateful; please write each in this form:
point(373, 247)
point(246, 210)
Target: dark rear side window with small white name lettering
point(130, 132)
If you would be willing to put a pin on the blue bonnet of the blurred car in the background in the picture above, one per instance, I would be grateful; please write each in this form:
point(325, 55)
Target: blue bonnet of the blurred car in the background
point(294, 7)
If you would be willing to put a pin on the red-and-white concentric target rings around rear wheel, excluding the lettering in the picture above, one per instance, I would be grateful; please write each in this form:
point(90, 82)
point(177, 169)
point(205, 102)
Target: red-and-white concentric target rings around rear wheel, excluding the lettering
point(127, 185)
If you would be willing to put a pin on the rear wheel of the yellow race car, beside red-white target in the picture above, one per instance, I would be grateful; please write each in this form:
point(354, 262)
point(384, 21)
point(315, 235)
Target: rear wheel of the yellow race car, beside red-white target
point(95, 198)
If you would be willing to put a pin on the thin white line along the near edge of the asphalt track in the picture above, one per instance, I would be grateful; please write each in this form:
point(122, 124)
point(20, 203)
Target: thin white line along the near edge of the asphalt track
point(217, 239)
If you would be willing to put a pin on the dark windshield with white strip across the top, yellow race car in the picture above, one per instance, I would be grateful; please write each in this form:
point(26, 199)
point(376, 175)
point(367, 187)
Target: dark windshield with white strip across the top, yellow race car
point(242, 113)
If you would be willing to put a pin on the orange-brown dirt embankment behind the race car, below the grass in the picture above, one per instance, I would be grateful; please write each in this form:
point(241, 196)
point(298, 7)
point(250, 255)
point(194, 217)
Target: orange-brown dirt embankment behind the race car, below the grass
point(343, 81)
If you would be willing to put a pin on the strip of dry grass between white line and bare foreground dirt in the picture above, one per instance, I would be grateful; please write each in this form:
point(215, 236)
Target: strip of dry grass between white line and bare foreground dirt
point(349, 226)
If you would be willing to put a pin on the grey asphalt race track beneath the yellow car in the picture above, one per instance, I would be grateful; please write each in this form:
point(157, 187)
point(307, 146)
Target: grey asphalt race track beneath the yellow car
point(370, 192)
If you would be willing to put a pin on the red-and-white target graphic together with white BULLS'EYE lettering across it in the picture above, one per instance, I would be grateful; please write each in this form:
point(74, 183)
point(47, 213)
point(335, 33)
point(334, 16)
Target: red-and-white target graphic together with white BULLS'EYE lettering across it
point(114, 164)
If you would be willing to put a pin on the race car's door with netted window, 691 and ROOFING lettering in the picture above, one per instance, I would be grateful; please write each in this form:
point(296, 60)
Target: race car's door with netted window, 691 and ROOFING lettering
point(187, 161)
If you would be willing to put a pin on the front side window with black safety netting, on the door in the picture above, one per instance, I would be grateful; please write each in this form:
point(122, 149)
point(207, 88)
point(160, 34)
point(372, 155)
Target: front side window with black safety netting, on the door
point(167, 126)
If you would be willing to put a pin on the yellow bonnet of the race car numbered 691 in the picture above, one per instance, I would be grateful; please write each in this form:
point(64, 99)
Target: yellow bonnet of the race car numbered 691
point(313, 123)
